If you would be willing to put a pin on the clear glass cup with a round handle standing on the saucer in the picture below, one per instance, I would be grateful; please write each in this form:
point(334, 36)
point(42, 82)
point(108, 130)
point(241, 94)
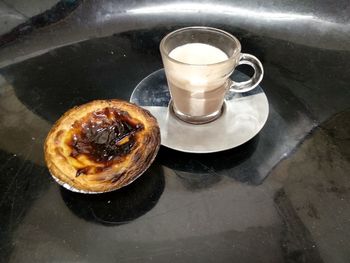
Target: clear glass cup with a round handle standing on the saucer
point(198, 90)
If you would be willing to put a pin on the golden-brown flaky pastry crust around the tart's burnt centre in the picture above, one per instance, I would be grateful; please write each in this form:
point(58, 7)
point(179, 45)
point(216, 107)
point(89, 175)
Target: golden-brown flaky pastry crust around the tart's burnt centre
point(101, 176)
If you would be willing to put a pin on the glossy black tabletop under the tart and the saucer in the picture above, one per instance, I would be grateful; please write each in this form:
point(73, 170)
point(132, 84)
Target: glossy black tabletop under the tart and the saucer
point(281, 197)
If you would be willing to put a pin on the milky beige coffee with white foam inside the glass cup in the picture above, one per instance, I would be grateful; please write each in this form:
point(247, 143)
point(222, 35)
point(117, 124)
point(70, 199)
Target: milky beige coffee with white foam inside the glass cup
point(197, 90)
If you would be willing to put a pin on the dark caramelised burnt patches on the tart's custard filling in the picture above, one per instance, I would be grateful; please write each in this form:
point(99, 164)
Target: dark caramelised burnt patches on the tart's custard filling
point(104, 136)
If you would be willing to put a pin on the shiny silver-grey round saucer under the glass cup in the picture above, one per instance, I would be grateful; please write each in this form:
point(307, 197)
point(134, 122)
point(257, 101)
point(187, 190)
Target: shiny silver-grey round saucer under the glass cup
point(243, 117)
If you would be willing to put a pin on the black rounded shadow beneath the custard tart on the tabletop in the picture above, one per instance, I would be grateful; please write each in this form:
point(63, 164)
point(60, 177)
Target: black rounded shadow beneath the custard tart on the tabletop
point(121, 206)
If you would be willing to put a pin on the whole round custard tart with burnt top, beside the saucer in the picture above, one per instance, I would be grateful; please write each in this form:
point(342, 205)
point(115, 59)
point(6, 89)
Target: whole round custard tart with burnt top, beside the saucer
point(101, 146)
